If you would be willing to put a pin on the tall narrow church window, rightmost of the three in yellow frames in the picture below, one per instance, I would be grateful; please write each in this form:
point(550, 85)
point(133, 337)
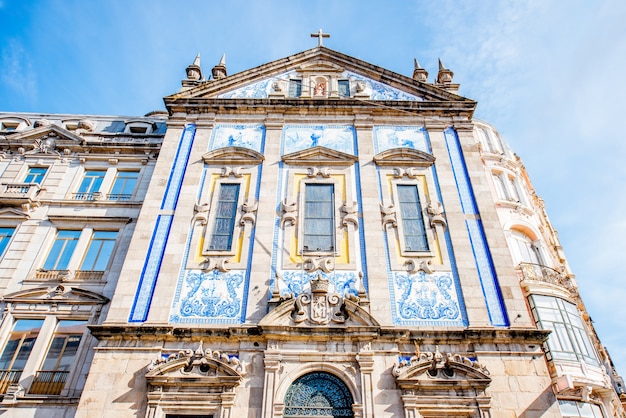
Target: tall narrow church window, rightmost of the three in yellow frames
point(413, 228)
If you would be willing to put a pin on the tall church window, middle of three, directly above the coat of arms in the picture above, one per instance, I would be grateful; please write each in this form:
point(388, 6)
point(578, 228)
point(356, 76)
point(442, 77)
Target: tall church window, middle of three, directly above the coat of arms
point(319, 228)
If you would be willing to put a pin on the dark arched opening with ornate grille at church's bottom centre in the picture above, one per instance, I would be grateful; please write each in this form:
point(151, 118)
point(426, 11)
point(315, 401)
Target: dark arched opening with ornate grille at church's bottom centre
point(318, 394)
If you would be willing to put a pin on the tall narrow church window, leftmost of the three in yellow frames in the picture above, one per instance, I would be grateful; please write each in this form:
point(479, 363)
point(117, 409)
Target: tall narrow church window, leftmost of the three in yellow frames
point(225, 214)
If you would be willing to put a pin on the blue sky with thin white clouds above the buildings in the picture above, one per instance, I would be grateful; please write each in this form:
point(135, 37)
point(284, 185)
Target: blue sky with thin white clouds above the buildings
point(547, 74)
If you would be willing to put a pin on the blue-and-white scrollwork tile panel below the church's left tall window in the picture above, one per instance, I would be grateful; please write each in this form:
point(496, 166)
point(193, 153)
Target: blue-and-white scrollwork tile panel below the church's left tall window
point(209, 297)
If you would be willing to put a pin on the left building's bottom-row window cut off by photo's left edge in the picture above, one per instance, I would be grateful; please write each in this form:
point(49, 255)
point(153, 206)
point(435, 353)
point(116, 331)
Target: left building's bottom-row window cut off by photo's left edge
point(17, 350)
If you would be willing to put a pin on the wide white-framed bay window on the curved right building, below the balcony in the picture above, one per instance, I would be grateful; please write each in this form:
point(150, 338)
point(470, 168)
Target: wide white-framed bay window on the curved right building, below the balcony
point(568, 340)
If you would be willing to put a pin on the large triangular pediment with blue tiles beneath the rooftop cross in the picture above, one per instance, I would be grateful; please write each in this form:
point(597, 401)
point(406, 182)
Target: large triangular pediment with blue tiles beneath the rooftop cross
point(271, 80)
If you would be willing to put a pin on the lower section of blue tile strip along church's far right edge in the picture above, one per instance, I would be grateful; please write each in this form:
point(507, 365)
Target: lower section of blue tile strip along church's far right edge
point(488, 279)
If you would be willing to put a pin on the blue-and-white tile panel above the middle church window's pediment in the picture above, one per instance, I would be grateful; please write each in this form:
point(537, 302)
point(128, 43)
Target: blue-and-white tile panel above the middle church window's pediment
point(300, 137)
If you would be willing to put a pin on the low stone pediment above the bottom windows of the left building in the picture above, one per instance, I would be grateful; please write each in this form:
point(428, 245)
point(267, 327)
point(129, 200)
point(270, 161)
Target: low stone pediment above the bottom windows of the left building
point(57, 294)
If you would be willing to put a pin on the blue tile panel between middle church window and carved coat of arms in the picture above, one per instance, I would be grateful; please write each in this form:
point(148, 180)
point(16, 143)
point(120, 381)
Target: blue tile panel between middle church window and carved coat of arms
point(294, 282)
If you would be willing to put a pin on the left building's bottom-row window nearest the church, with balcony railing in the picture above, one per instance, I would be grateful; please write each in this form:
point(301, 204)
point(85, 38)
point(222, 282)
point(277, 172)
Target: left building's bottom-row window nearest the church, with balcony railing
point(51, 378)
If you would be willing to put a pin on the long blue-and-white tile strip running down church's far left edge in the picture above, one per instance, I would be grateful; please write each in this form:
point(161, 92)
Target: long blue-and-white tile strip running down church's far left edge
point(152, 264)
